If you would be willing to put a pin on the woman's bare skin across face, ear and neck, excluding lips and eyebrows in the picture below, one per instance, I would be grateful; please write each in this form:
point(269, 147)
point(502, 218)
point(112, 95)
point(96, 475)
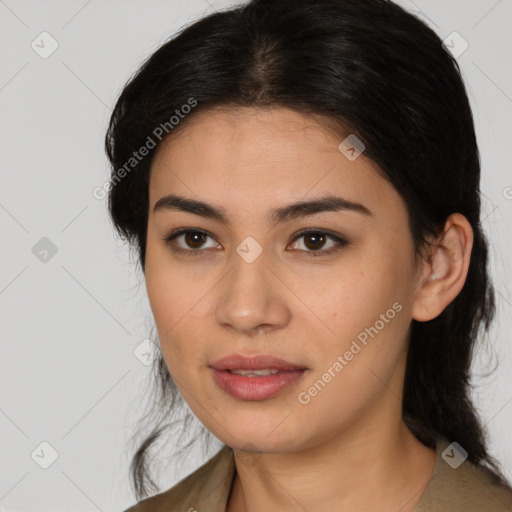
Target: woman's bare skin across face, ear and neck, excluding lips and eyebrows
point(348, 448)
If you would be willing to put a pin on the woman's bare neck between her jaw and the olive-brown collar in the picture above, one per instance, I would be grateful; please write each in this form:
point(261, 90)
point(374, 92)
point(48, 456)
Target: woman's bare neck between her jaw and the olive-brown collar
point(365, 468)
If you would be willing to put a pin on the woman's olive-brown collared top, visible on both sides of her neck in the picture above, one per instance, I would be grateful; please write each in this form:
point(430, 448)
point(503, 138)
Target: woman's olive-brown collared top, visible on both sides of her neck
point(467, 488)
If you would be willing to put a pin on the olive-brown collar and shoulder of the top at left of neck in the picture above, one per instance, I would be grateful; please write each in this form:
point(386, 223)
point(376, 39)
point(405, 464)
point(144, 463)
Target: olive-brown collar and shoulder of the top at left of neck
point(207, 488)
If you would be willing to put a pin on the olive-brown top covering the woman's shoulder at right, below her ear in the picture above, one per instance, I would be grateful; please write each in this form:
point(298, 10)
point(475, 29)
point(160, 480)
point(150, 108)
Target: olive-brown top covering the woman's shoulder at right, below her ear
point(463, 487)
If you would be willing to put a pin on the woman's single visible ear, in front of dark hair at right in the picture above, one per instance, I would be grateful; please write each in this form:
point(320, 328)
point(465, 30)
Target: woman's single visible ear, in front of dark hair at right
point(445, 269)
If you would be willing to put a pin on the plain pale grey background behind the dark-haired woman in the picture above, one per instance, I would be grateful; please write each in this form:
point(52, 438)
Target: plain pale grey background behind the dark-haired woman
point(70, 324)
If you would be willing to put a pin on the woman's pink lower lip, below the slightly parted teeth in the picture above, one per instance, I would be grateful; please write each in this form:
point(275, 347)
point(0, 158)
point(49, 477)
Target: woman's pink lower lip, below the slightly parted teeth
point(255, 388)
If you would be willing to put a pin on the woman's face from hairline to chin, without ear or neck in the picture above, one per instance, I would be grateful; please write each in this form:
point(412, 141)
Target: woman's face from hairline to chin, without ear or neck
point(251, 285)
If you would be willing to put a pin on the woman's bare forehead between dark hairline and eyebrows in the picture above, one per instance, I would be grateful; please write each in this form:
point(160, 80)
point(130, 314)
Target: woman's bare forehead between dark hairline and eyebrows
point(255, 159)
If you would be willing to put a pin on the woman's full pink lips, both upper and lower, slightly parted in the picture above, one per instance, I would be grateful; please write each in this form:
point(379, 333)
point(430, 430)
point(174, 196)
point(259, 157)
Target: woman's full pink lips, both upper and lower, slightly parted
point(255, 388)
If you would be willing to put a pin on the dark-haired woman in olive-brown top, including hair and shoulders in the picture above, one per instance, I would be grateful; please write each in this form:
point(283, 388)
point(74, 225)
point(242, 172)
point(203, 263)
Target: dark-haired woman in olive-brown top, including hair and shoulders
point(301, 183)
